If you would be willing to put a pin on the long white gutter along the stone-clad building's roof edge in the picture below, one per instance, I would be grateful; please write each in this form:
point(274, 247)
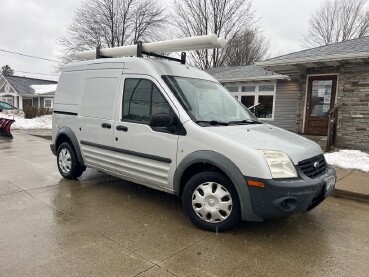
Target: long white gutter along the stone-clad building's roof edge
point(323, 58)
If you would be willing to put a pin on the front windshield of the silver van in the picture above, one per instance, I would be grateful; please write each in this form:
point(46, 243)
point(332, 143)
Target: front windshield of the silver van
point(208, 102)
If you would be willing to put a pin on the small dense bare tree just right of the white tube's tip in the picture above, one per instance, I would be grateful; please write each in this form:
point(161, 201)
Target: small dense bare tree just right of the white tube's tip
point(245, 48)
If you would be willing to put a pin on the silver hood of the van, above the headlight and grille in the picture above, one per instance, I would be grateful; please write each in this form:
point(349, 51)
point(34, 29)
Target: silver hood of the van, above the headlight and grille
point(268, 137)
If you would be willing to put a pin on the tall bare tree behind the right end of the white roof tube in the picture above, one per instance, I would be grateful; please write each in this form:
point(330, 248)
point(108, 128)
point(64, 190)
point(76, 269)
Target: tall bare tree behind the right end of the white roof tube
point(225, 18)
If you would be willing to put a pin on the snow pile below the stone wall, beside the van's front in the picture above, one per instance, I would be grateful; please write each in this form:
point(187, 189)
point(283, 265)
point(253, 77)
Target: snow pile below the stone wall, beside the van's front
point(349, 159)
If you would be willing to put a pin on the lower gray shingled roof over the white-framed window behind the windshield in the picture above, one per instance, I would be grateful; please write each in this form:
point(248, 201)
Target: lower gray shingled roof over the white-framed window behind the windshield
point(243, 73)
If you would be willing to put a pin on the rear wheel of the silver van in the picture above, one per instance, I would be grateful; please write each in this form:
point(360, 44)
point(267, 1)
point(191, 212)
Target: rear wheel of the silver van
point(67, 162)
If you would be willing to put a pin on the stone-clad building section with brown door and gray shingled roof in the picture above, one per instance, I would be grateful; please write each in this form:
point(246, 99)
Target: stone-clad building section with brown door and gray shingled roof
point(329, 75)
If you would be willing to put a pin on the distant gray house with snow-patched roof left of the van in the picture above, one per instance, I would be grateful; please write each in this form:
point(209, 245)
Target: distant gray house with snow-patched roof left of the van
point(22, 92)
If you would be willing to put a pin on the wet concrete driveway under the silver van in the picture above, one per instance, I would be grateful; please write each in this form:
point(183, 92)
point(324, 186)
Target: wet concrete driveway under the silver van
point(104, 226)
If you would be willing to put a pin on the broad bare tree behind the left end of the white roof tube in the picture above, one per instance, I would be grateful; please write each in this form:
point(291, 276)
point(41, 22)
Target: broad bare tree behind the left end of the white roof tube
point(111, 23)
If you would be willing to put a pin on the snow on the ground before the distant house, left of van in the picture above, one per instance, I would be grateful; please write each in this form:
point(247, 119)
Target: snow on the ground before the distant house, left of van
point(42, 122)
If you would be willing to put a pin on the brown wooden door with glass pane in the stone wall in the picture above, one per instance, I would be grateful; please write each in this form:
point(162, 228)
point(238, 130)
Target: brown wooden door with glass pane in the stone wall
point(321, 95)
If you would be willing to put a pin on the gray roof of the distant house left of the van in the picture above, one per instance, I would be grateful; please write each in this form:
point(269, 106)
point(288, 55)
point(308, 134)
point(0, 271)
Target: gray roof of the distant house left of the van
point(23, 85)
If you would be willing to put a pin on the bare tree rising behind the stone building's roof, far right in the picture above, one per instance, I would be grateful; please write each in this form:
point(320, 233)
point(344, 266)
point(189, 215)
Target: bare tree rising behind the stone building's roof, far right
point(337, 21)
